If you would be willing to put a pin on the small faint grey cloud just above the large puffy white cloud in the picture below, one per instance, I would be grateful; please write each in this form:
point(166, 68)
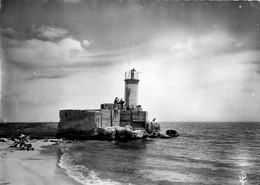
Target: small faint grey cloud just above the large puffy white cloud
point(51, 33)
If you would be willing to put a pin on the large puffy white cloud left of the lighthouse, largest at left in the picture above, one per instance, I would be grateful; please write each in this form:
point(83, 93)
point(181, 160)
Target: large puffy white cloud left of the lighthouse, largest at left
point(36, 52)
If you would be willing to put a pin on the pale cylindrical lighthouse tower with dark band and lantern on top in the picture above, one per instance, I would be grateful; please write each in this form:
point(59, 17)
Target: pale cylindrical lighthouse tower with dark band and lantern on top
point(131, 88)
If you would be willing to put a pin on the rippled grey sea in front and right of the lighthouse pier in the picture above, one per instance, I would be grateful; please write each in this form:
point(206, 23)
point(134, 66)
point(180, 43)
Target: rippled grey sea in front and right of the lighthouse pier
point(204, 153)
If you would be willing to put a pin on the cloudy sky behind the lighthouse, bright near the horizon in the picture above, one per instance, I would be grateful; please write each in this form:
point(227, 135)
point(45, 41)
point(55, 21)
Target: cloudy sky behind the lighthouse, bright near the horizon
point(198, 60)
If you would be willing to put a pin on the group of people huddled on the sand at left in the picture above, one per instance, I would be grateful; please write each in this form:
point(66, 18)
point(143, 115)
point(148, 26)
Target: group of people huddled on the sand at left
point(22, 142)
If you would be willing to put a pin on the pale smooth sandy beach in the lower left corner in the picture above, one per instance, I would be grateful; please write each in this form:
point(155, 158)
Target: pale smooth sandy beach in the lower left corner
point(38, 167)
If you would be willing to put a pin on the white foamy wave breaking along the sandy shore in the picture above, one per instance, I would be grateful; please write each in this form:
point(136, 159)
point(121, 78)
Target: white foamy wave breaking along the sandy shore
point(81, 173)
